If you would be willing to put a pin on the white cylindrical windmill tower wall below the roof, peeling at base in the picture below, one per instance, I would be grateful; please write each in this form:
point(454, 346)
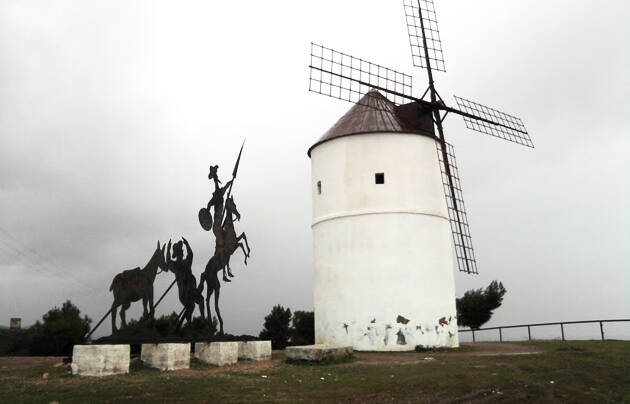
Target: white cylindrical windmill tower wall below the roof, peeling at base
point(381, 251)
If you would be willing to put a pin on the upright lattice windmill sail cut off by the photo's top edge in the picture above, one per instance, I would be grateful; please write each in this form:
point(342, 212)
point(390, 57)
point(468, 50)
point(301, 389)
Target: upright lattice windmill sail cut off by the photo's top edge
point(423, 31)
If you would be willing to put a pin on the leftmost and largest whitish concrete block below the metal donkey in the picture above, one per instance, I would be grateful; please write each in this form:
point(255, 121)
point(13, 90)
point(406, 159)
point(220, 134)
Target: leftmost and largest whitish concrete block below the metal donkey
point(100, 360)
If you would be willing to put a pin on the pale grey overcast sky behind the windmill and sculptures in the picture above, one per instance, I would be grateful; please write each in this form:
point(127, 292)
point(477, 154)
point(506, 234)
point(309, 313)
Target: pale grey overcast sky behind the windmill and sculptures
point(111, 113)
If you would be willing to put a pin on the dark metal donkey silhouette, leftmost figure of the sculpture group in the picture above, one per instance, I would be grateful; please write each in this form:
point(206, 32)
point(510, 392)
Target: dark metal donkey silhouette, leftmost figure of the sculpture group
point(136, 284)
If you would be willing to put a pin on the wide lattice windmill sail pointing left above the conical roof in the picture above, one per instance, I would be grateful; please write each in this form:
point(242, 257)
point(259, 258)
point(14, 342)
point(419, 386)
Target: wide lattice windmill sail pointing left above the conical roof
point(348, 78)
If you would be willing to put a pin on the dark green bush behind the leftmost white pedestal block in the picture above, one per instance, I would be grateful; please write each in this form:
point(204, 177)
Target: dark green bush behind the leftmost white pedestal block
point(60, 329)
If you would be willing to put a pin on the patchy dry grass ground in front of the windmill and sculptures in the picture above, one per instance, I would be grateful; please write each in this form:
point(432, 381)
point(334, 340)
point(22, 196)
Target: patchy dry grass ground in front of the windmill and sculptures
point(586, 371)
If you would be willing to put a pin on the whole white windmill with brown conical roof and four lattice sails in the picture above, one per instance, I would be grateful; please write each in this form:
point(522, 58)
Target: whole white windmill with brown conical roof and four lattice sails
point(386, 199)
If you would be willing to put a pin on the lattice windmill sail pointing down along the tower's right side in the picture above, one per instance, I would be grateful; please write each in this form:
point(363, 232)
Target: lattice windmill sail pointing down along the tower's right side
point(464, 252)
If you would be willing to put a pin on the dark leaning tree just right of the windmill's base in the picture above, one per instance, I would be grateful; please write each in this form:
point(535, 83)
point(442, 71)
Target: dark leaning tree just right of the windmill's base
point(477, 306)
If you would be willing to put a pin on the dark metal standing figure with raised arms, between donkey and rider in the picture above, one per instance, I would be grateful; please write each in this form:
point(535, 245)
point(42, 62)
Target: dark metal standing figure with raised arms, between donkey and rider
point(189, 294)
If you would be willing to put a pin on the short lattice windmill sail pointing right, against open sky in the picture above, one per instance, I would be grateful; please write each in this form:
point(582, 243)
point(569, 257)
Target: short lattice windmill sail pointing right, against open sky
point(493, 122)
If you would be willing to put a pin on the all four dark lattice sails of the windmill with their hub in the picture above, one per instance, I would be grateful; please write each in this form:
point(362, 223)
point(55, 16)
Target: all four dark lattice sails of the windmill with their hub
point(342, 76)
